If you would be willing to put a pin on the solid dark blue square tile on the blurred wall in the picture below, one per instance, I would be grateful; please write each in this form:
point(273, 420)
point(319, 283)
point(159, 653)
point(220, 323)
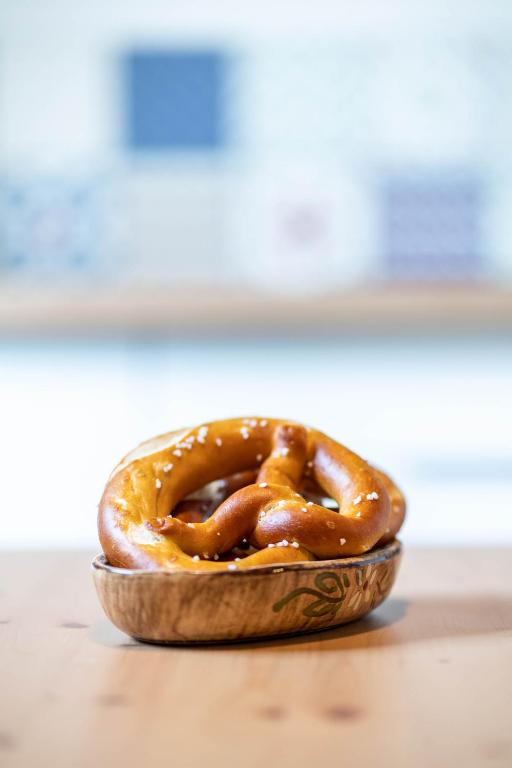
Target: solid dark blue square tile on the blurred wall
point(175, 100)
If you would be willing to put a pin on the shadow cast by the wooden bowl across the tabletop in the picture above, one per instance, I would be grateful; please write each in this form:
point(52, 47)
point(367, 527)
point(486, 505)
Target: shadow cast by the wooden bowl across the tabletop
point(397, 622)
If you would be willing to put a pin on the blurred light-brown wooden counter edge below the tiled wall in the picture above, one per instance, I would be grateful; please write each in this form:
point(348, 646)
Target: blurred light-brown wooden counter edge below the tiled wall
point(375, 309)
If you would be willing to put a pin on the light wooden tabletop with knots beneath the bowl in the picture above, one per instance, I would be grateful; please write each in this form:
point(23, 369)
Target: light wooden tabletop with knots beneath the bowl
point(426, 681)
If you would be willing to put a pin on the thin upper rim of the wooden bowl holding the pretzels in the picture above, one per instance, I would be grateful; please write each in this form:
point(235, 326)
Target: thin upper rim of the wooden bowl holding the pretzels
point(387, 552)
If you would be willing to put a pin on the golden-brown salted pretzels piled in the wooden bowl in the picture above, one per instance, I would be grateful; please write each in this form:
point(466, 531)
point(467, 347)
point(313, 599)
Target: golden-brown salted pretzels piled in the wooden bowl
point(161, 509)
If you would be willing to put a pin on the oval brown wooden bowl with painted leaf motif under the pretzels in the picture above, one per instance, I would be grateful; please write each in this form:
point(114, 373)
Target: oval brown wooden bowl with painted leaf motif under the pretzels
point(263, 601)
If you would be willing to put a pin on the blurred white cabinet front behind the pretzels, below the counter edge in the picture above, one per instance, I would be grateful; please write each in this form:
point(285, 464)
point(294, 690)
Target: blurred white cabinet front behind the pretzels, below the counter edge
point(437, 415)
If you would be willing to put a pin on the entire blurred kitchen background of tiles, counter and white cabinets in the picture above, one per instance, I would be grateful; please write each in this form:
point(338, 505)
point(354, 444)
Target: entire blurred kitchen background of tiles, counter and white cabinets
point(216, 208)
